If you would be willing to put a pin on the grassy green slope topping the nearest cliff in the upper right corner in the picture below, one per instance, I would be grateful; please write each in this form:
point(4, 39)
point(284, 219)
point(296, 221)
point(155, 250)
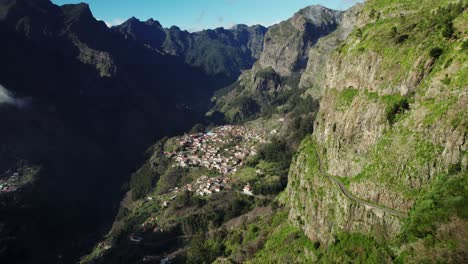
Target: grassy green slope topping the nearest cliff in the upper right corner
point(434, 28)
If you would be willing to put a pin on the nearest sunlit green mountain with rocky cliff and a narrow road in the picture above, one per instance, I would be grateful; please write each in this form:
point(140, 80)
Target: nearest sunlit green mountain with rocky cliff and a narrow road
point(386, 163)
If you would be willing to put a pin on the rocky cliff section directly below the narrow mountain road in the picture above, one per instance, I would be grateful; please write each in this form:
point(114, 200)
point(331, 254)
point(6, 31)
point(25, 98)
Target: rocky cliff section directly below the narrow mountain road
point(321, 209)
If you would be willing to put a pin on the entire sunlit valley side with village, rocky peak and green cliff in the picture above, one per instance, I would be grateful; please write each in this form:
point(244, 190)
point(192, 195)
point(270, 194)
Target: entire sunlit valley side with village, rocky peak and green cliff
point(377, 96)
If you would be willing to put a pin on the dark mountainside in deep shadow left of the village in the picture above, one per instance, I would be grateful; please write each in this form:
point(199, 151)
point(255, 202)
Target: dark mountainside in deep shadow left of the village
point(86, 103)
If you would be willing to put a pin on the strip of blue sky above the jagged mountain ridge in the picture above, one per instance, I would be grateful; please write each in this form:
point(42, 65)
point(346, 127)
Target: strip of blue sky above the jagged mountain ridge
point(196, 15)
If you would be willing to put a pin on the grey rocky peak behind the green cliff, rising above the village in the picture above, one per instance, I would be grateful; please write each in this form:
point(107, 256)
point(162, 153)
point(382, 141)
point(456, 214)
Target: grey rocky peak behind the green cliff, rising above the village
point(275, 77)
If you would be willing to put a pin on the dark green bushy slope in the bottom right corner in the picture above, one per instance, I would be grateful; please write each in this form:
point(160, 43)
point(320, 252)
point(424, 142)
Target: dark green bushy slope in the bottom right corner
point(435, 230)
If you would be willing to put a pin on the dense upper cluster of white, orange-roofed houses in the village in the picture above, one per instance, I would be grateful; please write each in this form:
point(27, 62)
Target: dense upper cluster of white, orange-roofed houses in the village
point(224, 149)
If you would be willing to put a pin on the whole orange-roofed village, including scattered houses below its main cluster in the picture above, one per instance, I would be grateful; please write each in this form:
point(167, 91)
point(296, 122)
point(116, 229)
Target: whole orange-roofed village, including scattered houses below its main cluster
point(223, 150)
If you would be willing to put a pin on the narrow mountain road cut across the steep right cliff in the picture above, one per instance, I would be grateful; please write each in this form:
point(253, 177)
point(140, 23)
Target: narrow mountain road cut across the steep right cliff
point(346, 192)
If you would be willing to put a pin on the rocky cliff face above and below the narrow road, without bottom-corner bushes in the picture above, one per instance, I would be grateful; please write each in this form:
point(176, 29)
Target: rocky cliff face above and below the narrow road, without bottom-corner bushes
point(391, 119)
